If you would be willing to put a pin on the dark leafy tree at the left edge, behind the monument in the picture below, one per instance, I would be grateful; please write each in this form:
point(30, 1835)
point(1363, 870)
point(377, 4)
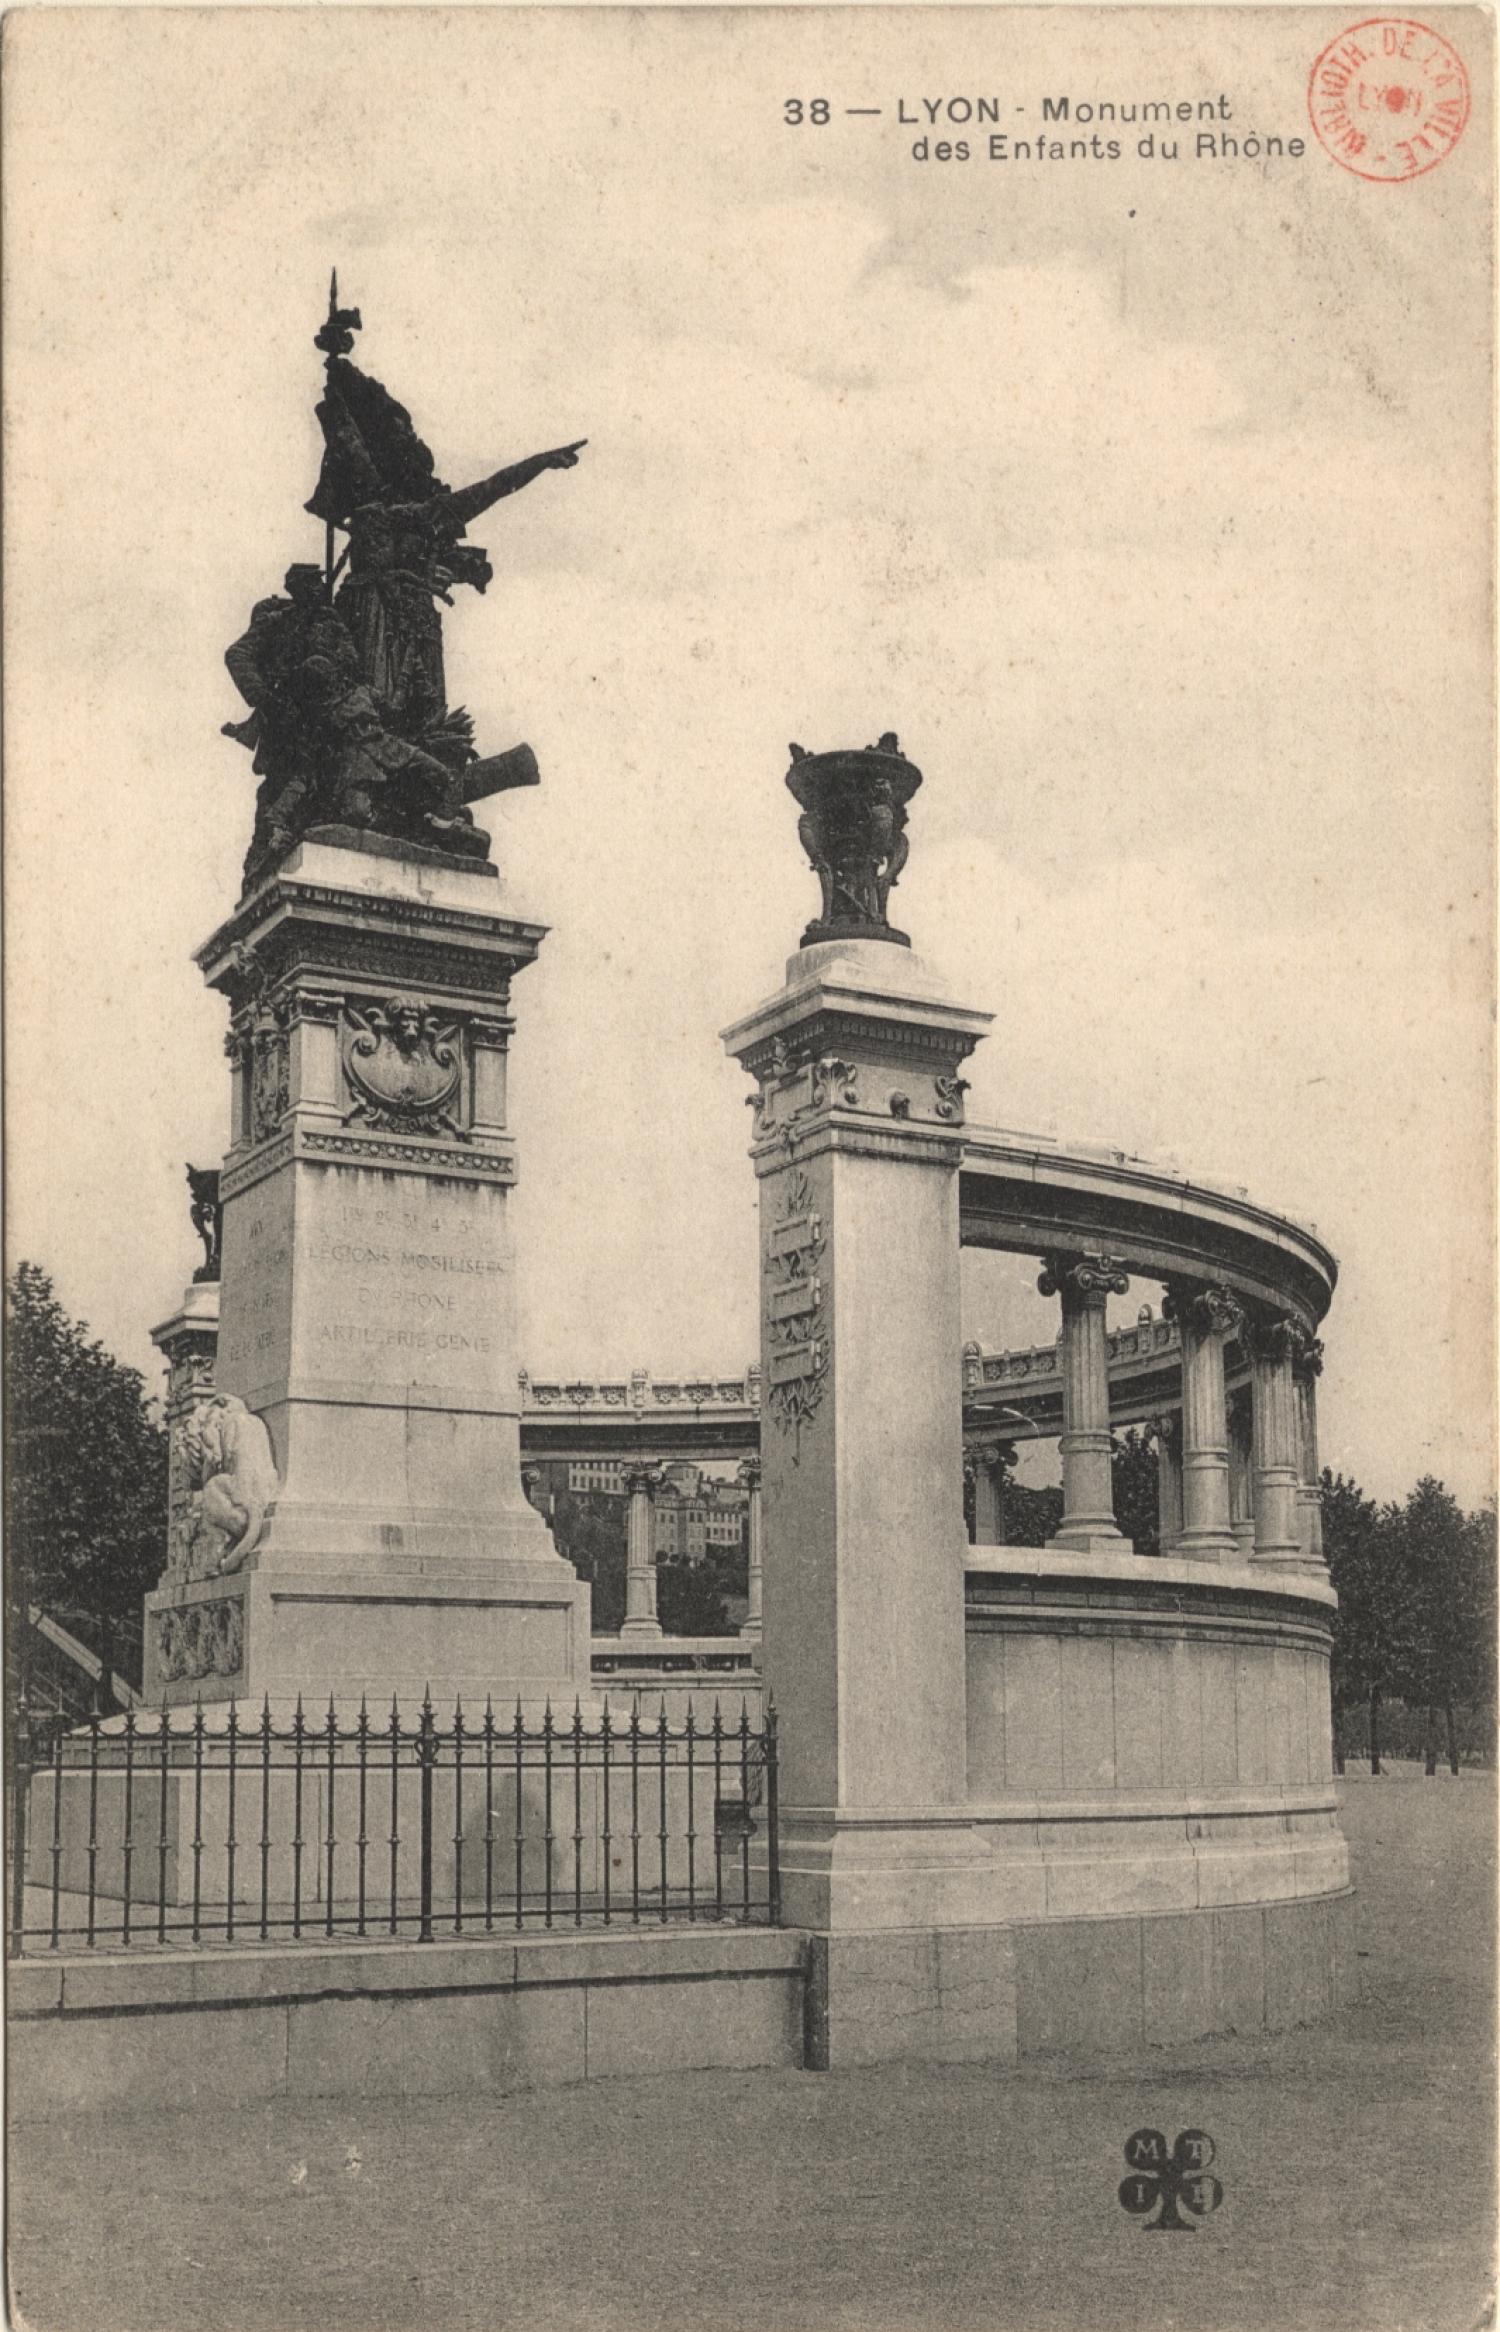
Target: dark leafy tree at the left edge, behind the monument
point(85, 1480)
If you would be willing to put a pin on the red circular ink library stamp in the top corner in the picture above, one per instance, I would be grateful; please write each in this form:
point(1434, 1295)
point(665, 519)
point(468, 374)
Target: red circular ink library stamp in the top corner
point(1389, 99)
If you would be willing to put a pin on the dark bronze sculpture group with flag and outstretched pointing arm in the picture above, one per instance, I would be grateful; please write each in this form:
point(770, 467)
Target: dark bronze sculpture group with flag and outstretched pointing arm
point(344, 673)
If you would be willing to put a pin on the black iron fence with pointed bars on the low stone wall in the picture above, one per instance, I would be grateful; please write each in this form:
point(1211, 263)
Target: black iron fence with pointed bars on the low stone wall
point(216, 1827)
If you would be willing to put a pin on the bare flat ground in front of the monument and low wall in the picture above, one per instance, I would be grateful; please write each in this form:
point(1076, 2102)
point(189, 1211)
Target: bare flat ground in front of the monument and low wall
point(1357, 2165)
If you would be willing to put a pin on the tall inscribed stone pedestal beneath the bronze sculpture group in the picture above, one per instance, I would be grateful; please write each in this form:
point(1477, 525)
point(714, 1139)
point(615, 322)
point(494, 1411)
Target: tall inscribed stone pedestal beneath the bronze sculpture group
point(367, 1309)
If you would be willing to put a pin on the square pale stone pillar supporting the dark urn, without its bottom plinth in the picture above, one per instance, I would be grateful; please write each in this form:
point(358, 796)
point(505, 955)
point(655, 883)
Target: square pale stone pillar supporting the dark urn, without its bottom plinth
point(857, 1153)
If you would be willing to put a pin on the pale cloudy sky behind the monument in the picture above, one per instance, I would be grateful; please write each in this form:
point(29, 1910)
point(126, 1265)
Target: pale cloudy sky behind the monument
point(1147, 500)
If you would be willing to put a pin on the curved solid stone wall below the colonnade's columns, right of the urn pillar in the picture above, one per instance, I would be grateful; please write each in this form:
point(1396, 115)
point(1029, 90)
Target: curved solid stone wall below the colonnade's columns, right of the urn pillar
point(1151, 1766)
